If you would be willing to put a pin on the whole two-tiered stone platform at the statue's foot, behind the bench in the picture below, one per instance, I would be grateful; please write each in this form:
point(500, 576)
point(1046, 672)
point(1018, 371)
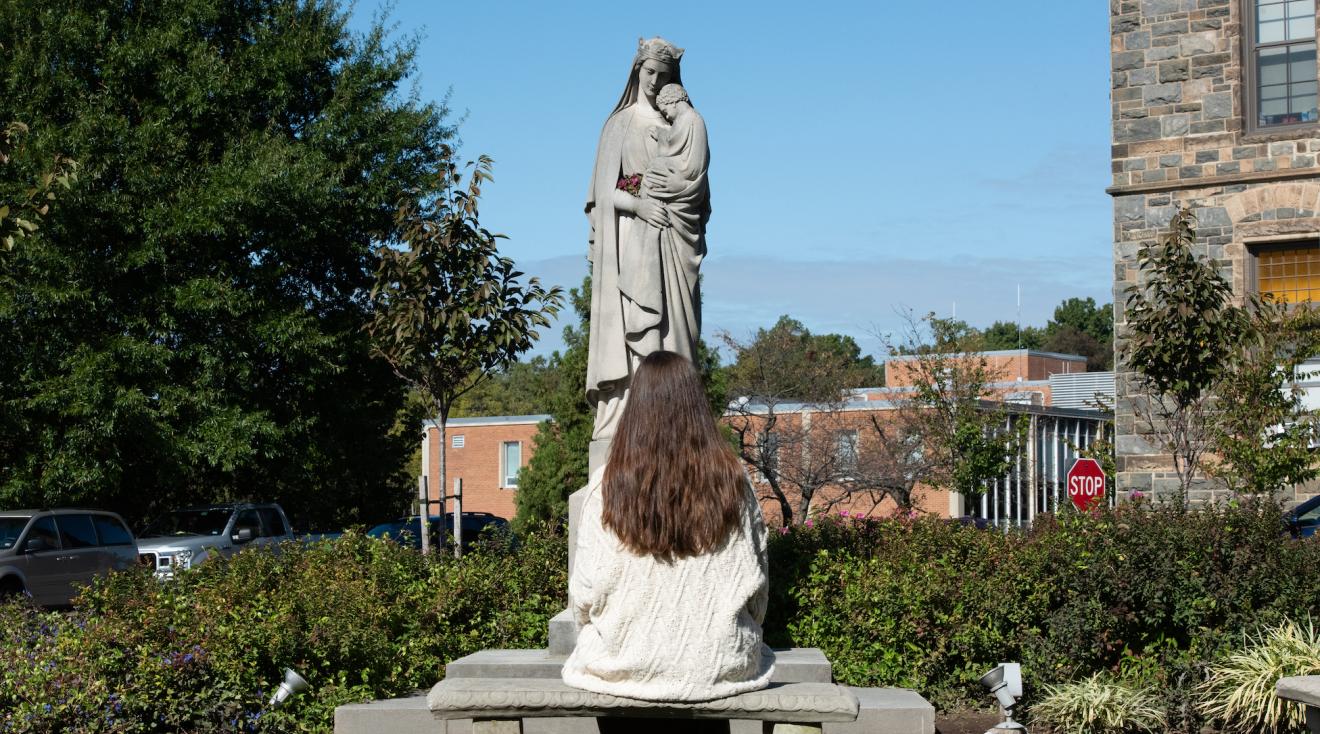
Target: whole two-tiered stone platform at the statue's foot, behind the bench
point(882, 711)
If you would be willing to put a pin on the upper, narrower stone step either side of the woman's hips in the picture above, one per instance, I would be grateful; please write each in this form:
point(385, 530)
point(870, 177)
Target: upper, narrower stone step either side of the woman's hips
point(799, 665)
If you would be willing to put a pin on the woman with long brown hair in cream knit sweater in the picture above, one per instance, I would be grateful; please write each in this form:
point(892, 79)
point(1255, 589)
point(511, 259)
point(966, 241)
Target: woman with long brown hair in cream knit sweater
point(670, 580)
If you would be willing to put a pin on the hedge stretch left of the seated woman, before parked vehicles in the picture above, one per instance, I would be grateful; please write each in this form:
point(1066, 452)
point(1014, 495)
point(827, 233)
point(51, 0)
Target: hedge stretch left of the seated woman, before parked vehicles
point(358, 618)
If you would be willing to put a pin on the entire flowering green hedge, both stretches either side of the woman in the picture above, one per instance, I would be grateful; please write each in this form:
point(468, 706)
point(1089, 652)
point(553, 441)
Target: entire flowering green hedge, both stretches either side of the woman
point(922, 604)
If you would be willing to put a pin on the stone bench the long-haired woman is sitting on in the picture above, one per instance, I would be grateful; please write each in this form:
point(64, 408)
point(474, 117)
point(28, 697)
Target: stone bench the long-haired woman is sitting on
point(500, 706)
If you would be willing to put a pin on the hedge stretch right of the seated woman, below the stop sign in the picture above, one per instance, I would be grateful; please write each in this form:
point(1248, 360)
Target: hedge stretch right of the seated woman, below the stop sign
point(931, 604)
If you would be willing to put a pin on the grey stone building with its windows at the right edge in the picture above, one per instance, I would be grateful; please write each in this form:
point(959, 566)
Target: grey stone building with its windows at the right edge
point(1215, 110)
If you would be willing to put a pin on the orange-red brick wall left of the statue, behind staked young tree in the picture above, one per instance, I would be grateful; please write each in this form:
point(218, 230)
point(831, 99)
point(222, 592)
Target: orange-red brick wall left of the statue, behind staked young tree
point(478, 464)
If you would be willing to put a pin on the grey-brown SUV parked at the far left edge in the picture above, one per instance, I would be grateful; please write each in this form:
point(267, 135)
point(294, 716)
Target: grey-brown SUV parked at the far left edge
point(49, 554)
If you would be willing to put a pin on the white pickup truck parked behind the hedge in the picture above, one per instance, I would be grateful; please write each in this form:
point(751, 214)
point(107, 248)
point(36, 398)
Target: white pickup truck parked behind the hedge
point(187, 538)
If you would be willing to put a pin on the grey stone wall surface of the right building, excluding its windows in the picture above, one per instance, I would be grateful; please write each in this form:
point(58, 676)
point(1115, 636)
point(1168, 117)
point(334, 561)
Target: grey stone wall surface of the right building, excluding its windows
point(1181, 139)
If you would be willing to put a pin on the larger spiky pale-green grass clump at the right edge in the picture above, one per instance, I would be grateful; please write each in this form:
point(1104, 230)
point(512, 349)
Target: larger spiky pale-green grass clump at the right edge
point(1239, 691)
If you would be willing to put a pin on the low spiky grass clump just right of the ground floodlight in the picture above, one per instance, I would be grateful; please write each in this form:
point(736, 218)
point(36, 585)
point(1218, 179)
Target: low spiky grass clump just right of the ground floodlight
point(1099, 704)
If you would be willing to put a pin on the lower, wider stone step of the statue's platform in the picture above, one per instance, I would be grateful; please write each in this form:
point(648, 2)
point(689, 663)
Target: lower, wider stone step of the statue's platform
point(881, 711)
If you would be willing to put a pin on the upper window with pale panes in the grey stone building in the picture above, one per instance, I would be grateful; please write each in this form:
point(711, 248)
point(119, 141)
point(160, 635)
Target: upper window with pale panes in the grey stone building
point(1282, 63)
